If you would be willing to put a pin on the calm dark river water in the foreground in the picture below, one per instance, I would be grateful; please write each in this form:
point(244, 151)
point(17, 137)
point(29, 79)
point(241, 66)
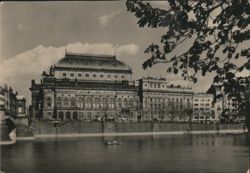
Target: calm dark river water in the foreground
point(147, 154)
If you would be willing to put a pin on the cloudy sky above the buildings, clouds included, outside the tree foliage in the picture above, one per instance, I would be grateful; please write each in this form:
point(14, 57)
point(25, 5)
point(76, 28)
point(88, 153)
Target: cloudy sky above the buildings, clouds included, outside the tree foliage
point(35, 35)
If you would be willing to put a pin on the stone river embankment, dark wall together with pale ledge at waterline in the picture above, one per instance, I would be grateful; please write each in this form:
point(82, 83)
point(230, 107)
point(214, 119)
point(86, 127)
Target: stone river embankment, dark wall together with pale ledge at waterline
point(47, 129)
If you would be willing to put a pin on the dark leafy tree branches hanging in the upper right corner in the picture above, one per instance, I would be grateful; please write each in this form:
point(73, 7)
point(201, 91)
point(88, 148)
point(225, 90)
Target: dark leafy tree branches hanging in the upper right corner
point(217, 31)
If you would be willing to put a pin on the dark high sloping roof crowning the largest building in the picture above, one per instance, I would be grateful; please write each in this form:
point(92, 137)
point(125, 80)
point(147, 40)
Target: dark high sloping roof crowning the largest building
point(73, 60)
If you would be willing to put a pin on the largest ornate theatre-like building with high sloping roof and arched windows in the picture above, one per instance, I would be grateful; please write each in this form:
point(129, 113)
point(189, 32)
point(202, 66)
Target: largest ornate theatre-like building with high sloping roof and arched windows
point(86, 87)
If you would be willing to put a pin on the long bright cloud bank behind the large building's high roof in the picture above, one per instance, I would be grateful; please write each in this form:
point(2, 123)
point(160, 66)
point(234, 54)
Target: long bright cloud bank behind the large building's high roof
point(20, 69)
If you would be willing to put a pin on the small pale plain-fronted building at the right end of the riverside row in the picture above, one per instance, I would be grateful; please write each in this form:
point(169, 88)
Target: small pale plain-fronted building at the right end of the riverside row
point(203, 108)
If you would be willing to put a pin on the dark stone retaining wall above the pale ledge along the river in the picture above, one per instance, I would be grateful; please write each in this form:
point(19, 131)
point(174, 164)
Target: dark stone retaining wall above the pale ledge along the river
point(78, 127)
